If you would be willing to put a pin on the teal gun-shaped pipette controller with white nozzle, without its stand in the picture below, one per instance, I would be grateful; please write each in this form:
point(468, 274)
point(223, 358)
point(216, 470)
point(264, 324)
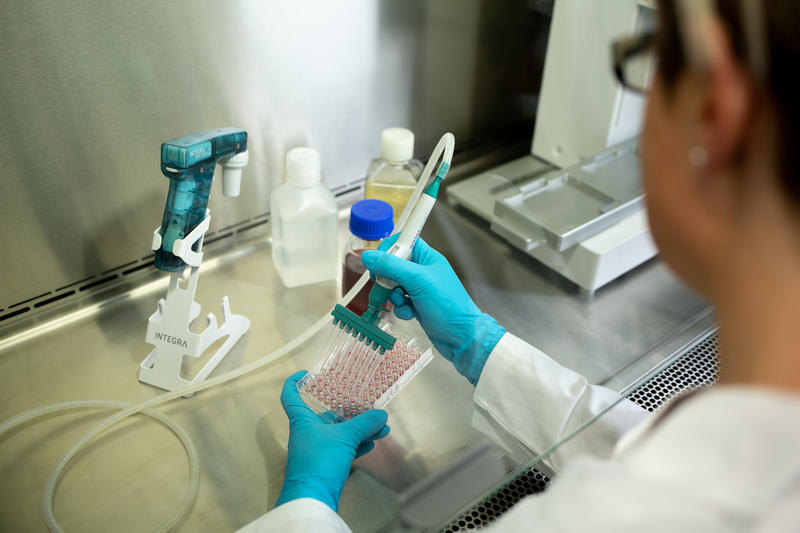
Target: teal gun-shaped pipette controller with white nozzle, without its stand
point(189, 164)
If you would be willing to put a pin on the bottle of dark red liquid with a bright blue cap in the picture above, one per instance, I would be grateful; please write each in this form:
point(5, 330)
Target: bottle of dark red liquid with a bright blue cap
point(370, 222)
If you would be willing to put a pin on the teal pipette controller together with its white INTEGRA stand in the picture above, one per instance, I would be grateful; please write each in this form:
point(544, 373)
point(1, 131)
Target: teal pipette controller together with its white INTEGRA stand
point(189, 164)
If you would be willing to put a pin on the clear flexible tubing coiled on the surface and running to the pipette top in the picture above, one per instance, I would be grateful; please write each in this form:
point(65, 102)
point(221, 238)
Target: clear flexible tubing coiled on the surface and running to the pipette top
point(444, 149)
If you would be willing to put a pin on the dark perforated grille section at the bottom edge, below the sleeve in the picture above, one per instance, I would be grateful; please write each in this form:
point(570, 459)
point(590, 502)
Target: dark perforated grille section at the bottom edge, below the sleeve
point(530, 482)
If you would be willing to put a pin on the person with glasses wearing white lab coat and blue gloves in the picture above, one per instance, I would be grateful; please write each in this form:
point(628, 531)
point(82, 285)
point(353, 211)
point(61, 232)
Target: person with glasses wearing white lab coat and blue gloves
point(722, 174)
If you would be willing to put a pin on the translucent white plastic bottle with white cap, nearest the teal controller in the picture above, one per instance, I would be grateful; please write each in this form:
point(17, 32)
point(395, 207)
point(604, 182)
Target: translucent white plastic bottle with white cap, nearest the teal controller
point(303, 218)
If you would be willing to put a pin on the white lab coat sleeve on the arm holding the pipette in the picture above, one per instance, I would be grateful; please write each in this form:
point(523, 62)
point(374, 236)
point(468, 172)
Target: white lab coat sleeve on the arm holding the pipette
point(527, 403)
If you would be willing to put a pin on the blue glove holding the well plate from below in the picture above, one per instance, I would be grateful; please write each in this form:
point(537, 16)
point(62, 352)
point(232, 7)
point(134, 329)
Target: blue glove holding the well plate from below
point(320, 451)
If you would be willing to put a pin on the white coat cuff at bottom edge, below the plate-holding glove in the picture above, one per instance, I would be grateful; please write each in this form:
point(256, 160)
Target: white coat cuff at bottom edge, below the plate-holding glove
point(298, 516)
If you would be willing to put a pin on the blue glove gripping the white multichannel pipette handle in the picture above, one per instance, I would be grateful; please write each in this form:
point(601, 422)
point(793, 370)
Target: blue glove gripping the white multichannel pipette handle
point(430, 291)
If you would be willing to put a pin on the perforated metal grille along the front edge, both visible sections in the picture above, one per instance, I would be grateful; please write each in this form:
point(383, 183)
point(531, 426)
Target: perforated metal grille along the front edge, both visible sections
point(697, 368)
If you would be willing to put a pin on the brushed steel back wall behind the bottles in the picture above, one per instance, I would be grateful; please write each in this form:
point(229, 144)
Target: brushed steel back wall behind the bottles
point(90, 89)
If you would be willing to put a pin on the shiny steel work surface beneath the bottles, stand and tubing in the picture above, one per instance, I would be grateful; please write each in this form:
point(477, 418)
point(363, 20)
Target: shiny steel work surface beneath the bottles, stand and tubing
point(134, 477)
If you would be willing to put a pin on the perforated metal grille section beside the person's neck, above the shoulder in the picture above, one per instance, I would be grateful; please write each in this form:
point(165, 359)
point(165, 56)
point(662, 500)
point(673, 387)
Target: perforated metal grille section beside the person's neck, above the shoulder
point(697, 368)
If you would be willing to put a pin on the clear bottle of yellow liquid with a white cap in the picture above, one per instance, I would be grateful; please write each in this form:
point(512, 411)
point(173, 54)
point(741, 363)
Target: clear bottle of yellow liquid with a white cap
point(393, 176)
